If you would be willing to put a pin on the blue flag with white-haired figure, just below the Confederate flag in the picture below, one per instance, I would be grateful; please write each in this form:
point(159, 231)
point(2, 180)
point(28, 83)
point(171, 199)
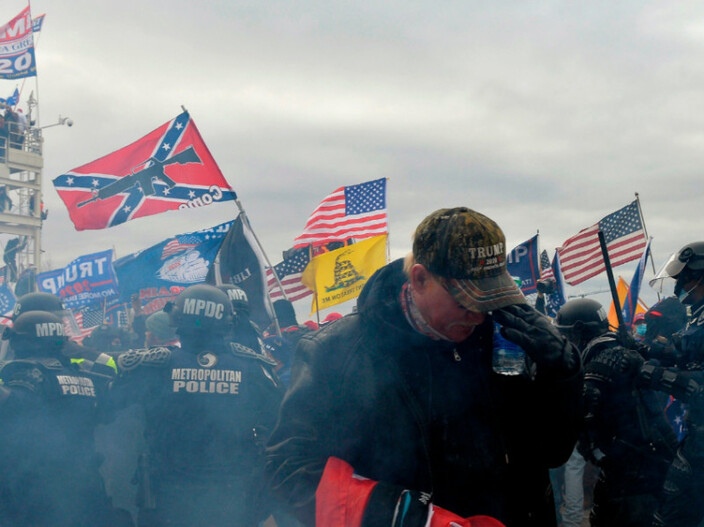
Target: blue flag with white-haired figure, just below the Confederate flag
point(162, 271)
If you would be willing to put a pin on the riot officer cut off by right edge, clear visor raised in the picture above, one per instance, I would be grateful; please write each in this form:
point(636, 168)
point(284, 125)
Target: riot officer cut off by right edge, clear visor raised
point(684, 486)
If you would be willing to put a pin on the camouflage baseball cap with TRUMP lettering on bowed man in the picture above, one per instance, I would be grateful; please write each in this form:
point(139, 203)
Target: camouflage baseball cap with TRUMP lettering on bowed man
point(467, 251)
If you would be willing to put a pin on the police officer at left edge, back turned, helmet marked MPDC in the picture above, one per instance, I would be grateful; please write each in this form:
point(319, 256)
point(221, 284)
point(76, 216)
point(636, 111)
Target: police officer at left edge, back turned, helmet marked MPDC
point(49, 412)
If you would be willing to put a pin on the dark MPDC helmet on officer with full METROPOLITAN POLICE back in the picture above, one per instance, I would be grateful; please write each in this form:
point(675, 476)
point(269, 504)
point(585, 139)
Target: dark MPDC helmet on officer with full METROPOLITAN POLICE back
point(200, 308)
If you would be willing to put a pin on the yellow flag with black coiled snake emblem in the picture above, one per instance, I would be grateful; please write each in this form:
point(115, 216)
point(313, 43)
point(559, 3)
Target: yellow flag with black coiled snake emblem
point(339, 275)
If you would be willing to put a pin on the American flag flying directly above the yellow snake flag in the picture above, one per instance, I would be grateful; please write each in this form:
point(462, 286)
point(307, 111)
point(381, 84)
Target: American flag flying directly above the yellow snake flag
point(357, 211)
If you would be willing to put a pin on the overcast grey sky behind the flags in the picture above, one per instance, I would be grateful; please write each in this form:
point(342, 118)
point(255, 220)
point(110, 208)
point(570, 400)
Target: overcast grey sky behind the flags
point(543, 115)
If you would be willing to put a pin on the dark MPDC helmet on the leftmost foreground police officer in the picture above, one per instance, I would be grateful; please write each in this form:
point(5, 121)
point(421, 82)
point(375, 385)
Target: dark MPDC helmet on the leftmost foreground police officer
point(36, 333)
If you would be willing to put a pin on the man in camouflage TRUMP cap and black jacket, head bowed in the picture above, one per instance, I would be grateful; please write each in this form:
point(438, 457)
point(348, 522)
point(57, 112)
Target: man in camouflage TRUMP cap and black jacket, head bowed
point(394, 416)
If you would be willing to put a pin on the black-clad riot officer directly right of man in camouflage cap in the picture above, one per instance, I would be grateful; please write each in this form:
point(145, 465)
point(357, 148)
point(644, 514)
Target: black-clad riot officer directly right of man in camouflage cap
point(625, 430)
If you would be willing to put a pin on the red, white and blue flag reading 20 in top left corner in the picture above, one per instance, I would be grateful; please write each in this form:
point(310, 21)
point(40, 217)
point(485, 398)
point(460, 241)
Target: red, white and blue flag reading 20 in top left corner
point(17, 47)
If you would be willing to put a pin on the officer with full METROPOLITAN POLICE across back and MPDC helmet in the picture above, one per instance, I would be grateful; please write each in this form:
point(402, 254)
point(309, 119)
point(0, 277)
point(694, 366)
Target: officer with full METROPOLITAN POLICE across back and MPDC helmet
point(208, 407)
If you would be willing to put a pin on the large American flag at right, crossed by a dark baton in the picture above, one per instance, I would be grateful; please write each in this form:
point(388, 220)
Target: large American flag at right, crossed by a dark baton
point(581, 257)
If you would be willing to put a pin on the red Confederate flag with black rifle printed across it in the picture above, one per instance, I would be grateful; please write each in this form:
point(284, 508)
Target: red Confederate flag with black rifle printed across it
point(168, 169)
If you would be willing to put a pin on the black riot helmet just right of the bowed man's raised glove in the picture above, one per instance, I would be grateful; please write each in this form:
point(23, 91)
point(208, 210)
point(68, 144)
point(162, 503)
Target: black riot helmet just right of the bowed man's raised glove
point(581, 320)
